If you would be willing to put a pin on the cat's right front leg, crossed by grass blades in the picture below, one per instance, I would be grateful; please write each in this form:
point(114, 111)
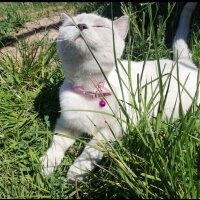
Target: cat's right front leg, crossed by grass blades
point(89, 157)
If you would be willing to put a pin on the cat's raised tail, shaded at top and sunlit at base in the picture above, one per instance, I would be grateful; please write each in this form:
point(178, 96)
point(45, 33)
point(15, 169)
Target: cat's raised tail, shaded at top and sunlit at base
point(180, 47)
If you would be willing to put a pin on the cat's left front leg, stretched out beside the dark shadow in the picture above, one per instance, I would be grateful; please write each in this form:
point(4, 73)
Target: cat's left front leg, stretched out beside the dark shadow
point(56, 151)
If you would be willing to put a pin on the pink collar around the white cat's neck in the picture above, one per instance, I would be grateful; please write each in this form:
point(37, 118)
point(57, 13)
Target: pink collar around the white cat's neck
point(91, 94)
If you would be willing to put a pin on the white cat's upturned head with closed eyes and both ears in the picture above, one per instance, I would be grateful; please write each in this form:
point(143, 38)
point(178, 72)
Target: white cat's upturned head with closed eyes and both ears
point(97, 32)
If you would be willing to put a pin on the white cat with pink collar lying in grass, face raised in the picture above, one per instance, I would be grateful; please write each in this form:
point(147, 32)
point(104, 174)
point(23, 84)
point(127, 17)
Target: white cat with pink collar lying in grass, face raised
point(78, 91)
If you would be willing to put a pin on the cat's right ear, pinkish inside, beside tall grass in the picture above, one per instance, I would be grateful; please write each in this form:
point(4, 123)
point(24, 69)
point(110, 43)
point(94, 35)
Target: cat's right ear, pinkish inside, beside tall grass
point(121, 25)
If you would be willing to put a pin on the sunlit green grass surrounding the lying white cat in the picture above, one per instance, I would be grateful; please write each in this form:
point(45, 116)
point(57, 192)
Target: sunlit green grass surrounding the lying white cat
point(155, 158)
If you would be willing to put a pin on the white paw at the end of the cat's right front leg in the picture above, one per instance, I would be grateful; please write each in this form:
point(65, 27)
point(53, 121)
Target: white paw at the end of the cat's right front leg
point(76, 173)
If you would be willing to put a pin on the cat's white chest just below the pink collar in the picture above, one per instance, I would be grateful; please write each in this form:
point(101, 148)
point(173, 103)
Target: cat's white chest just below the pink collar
point(78, 111)
